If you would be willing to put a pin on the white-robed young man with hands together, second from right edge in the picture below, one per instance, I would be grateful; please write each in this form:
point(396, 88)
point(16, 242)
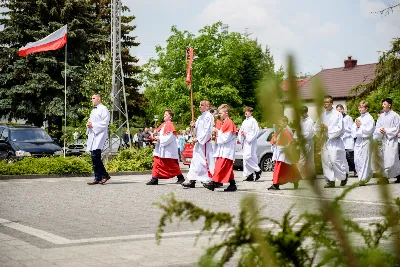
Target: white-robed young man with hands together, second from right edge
point(362, 130)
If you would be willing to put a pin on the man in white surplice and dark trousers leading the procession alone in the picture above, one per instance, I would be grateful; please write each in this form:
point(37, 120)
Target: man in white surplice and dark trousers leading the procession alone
point(97, 132)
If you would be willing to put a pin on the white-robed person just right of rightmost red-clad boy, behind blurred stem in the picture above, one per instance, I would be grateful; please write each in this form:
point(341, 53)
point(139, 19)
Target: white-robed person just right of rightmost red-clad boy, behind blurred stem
point(306, 163)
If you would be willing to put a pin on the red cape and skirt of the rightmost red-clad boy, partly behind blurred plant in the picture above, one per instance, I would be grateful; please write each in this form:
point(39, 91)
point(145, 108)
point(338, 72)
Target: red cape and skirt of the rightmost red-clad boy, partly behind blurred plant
point(283, 172)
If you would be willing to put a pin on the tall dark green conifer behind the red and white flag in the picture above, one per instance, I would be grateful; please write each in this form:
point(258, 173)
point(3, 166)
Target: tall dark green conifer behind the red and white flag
point(33, 87)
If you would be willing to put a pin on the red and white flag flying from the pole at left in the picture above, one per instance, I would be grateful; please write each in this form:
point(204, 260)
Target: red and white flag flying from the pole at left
point(54, 41)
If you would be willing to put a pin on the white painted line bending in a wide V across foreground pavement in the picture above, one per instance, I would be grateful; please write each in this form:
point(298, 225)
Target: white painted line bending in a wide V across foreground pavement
point(58, 240)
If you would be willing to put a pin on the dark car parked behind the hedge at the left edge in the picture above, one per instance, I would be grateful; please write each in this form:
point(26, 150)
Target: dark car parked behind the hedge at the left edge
point(17, 142)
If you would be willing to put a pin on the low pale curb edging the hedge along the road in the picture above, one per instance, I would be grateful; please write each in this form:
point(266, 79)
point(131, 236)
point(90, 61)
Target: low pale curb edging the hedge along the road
point(67, 175)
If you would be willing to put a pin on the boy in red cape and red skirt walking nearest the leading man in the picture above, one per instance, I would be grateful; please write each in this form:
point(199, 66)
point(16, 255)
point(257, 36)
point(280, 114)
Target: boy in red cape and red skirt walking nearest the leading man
point(166, 158)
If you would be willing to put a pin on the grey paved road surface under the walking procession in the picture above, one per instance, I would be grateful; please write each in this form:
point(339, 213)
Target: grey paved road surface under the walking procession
point(65, 216)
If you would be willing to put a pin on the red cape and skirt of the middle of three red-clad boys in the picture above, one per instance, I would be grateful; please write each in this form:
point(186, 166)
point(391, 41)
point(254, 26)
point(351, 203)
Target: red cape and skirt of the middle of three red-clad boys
point(223, 171)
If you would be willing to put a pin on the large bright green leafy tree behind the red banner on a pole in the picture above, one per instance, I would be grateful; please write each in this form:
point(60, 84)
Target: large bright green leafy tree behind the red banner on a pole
point(226, 69)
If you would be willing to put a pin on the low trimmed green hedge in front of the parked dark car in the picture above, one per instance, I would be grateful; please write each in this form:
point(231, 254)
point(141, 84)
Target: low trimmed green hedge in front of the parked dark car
point(53, 165)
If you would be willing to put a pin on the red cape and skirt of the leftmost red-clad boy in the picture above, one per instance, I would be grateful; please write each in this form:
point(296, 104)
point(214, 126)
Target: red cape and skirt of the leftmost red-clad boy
point(165, 168)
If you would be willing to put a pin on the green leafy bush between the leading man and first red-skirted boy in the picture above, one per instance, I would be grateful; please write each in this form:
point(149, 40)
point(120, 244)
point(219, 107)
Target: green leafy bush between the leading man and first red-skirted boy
point(132, 159)
